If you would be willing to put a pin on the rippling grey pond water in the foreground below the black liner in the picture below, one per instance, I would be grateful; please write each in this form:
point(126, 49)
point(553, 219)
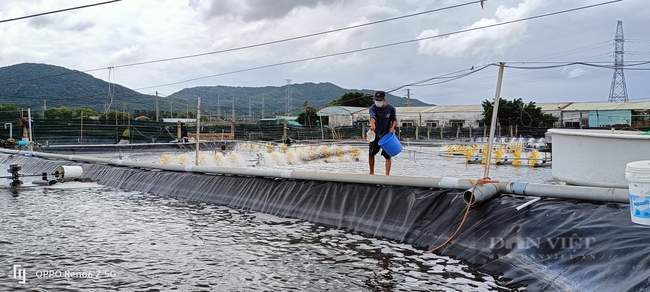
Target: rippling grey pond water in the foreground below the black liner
point(132, 241)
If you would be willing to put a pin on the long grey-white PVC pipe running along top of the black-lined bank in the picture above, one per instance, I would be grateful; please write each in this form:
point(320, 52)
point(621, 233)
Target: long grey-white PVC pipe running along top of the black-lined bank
point(517, 188)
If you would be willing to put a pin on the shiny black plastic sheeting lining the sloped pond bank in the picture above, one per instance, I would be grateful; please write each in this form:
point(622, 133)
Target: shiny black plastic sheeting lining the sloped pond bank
point(554, 245)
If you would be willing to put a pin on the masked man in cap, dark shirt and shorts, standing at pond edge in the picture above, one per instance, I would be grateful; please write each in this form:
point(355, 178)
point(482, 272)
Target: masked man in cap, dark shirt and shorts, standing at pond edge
point(382, 121)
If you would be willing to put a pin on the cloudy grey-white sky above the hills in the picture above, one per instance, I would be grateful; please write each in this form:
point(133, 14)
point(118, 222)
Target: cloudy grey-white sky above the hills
point(242, 43)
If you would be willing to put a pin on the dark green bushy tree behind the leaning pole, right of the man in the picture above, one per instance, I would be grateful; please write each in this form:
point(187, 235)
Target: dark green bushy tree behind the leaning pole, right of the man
point(517, 113)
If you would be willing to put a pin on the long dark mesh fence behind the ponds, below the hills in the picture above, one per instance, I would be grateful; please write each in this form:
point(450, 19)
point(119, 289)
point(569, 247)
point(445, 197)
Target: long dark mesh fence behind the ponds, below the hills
point(76, 131)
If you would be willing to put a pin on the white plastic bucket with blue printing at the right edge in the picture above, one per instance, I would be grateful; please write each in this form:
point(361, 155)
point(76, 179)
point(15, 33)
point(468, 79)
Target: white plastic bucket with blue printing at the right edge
point(637, 174)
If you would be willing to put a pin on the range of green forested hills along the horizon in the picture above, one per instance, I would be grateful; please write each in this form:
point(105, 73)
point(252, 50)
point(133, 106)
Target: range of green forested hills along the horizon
point(28, 85)
